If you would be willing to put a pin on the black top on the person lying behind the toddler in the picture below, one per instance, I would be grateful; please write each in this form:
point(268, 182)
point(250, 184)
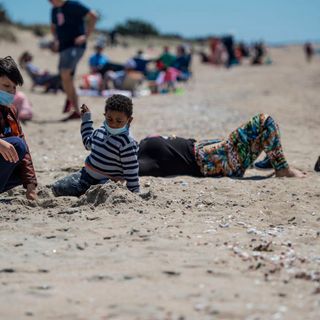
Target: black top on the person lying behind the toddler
point(160, 157)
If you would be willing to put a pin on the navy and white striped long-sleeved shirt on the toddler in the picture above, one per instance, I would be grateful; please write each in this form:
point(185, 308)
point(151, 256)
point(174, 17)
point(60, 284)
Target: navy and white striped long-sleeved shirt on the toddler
point(111, 156)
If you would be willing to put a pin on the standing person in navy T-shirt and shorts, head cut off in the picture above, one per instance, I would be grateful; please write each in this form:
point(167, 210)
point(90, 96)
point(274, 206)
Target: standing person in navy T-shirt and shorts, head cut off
point(71, 25)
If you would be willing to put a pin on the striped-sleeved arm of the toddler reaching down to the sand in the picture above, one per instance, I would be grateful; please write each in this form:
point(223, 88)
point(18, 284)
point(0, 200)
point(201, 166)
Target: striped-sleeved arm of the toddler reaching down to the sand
point(130, 165)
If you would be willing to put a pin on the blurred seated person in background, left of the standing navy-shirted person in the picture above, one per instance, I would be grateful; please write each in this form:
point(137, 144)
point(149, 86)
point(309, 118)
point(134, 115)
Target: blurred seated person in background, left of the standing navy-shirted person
point(38, 77)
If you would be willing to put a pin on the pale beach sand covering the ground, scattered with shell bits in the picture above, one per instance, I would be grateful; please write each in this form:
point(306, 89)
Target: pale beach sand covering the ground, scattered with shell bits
point(186, 248)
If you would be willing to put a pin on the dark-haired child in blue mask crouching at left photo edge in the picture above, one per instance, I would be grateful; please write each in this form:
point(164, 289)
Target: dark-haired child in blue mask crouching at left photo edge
point(16, 166)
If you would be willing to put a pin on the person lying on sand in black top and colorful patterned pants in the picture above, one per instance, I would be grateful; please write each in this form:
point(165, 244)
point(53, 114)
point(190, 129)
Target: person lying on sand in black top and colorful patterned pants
point(164, 156)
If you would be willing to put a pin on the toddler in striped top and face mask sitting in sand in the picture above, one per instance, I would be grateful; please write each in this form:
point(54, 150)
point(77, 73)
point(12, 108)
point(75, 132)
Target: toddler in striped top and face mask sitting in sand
point(113, 152)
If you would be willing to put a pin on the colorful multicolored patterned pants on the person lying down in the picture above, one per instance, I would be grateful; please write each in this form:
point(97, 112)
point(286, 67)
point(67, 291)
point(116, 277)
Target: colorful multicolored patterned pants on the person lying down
point(231, 157)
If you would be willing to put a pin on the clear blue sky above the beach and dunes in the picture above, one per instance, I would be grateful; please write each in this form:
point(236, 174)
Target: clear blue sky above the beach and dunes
point(269, 20)
